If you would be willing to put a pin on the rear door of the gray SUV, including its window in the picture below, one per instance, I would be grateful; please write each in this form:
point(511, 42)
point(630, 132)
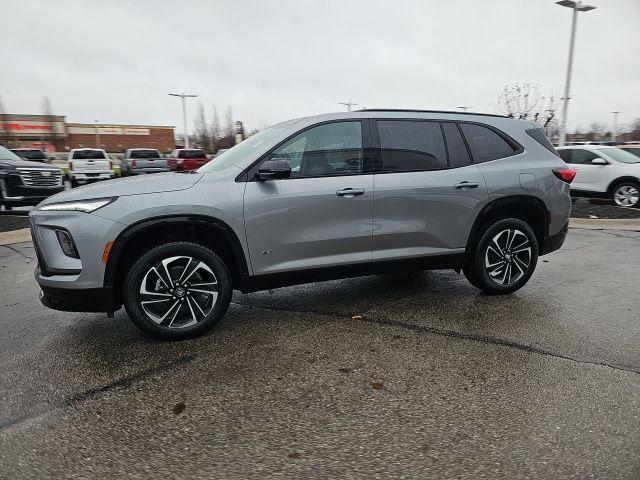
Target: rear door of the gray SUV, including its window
point(428, 192)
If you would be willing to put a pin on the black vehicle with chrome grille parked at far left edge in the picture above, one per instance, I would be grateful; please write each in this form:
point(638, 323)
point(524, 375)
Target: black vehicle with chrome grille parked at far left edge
point(25, 183)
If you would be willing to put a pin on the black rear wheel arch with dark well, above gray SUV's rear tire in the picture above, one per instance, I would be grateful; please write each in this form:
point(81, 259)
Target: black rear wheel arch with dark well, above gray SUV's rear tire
point(527, 208)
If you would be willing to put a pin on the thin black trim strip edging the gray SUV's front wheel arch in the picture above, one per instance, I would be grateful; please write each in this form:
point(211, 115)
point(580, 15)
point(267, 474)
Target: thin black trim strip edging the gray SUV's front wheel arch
point(131, 231)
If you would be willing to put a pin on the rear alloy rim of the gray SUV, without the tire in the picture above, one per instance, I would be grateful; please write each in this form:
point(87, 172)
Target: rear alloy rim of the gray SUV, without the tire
point(508, 256)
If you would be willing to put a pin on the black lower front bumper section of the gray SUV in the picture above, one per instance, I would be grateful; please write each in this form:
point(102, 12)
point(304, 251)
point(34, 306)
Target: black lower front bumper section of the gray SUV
point(79, 300)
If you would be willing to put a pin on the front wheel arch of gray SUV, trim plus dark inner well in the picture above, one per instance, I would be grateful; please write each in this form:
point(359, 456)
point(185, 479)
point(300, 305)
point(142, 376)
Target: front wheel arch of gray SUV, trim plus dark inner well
point(139, 237)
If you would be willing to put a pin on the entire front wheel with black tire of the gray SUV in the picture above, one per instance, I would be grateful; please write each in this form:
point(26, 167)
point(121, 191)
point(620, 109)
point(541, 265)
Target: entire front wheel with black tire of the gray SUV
point(186, 312)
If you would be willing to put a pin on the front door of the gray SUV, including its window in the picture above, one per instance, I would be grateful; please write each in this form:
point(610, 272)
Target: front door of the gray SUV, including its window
point(321, 215)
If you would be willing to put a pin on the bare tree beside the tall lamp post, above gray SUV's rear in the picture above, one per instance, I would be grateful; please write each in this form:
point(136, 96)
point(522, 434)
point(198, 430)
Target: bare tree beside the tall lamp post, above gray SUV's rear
point(526, 102)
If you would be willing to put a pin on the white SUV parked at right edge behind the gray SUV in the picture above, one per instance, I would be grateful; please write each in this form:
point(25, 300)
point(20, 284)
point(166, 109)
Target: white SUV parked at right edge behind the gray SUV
point(604, 172)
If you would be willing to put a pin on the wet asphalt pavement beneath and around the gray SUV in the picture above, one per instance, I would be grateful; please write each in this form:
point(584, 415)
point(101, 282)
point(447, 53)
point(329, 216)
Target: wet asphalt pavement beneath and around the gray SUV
point(415, 375)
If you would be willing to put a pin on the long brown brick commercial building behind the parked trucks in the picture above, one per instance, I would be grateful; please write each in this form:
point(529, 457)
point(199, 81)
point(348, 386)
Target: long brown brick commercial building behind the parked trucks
point(53, 134)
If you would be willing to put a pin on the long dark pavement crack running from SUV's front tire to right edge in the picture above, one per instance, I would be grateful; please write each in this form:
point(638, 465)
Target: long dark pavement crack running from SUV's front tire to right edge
point(459, 335)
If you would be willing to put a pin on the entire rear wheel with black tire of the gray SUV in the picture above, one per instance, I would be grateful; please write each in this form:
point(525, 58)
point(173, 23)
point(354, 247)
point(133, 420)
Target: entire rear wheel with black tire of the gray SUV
point(501, 261)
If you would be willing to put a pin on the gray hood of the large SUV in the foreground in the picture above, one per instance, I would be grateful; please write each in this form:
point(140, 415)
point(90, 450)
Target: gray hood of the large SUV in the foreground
point(122, 187)
